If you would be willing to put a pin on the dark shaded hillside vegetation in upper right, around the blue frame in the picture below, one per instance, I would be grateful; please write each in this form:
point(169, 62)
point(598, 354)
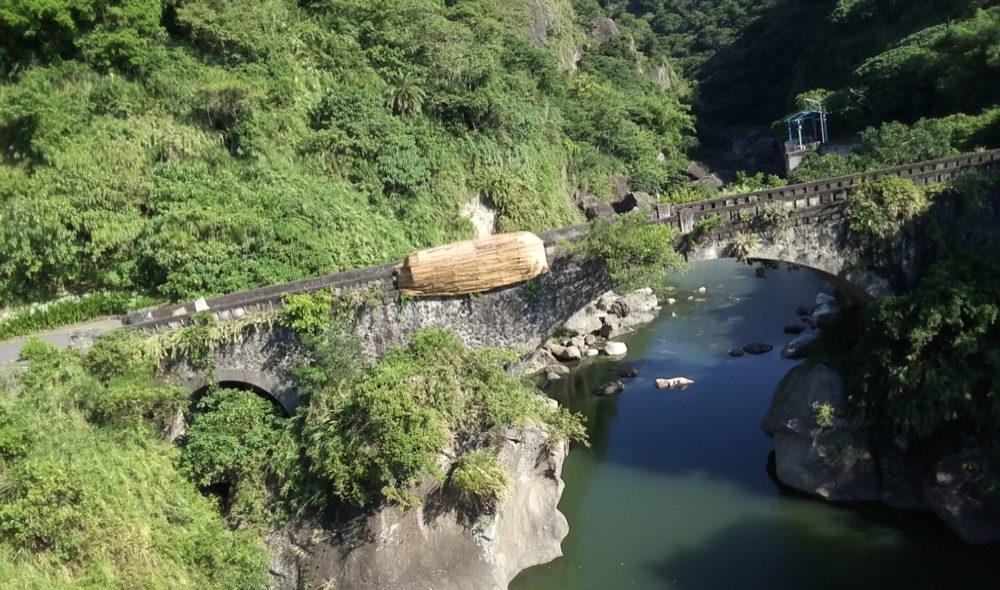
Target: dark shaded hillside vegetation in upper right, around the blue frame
point(928, 68)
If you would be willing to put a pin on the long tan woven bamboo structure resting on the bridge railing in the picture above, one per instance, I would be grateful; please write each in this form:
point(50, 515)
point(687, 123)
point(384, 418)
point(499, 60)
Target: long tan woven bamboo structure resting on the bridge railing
point(473, 266)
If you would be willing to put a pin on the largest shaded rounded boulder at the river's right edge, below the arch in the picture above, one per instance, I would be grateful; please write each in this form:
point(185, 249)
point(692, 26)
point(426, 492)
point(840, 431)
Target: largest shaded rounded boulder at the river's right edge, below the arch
point(819, 448)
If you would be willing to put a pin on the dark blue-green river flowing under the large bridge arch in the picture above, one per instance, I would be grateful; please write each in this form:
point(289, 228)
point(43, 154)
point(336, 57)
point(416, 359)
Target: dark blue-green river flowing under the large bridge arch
point(675, 491)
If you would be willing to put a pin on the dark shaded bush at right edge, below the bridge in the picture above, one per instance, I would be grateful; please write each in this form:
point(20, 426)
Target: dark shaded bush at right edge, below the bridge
point(926, 363)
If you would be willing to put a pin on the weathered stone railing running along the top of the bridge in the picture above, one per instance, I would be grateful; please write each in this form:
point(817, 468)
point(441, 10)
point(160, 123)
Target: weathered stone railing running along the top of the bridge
point(812, 201)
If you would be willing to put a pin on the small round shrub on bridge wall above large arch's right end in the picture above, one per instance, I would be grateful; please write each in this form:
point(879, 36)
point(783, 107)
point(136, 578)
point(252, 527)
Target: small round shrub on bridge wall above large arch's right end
point(879, 210)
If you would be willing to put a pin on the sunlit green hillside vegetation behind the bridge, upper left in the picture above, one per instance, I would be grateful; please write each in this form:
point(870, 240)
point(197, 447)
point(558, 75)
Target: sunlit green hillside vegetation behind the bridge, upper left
point(182, 148)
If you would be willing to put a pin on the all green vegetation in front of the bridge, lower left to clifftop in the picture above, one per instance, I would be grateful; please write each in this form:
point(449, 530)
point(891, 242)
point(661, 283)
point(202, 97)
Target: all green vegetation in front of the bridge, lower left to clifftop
point(92, 495)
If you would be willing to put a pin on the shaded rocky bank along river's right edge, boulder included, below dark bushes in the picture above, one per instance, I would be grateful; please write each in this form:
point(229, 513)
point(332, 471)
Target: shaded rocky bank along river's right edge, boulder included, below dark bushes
point(822, 449)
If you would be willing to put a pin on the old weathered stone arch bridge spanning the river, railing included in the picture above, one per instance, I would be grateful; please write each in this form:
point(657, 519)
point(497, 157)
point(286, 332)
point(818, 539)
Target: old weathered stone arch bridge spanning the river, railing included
point(523, 316)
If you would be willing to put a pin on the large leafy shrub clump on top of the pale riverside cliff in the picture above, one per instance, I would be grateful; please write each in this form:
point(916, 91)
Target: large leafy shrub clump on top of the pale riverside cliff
point(373, 437)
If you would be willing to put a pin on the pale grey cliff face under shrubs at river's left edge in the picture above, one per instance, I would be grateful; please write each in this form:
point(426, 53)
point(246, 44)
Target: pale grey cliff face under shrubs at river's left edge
point(438, 544)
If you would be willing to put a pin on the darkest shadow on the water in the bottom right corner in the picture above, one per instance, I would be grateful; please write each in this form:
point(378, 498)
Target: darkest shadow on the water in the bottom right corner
point(795, 553)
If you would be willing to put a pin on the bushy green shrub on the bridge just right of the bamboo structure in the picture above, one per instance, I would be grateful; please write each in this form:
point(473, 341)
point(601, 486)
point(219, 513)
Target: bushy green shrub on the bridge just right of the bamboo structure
point(635, 253)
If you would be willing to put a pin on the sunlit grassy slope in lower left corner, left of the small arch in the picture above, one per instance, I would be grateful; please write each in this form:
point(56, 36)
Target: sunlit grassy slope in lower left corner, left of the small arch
point(91, 496)
